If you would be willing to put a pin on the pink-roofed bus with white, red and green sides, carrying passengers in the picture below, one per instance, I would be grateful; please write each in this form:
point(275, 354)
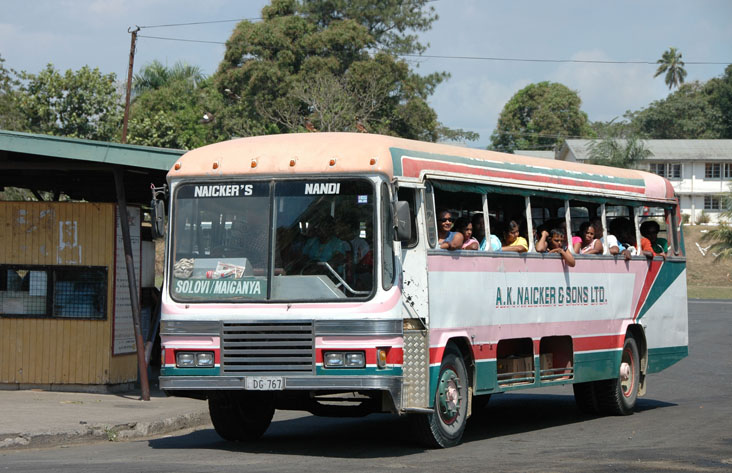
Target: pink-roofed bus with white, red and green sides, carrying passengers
point(304, 272)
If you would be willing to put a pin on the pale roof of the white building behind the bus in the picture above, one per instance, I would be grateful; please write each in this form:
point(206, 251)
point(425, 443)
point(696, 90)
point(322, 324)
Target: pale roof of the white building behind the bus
point(676, 150)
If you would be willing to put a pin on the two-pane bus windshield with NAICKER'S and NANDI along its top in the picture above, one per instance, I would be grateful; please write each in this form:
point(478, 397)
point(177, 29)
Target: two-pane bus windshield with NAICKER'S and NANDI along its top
point(293, 240)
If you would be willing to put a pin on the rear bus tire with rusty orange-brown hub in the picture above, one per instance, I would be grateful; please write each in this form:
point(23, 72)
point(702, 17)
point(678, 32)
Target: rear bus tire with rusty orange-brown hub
point(618, 396)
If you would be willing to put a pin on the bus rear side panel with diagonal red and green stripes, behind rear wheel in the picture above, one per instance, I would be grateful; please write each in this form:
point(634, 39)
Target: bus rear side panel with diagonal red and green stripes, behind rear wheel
point(663, 312)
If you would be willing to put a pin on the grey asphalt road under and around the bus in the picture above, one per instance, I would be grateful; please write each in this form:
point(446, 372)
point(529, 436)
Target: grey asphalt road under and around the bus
point(683, 424)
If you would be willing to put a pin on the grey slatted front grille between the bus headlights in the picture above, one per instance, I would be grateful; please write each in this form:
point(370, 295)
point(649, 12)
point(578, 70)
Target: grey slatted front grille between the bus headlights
point(264, 348)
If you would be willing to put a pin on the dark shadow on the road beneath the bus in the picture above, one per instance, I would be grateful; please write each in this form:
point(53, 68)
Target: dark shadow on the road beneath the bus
point(390, 436)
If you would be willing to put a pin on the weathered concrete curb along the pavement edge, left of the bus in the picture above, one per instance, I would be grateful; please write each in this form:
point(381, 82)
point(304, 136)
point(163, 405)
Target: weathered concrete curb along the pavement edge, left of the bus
point(103, 432)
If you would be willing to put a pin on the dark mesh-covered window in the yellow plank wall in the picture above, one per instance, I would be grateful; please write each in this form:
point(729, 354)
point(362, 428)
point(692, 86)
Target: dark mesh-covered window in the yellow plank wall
point(53, 291)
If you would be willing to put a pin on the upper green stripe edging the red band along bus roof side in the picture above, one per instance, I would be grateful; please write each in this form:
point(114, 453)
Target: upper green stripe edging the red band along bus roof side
point(398, 153)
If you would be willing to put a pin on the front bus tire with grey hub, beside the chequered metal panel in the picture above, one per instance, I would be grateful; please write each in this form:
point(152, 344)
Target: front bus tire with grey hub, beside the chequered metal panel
point(444, 427)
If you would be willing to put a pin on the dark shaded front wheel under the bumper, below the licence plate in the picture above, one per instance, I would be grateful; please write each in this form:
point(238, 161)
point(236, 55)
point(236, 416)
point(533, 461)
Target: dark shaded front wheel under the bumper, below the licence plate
point(241, 416)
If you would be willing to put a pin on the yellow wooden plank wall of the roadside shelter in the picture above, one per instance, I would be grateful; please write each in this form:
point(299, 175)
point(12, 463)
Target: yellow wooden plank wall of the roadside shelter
point(60, 351)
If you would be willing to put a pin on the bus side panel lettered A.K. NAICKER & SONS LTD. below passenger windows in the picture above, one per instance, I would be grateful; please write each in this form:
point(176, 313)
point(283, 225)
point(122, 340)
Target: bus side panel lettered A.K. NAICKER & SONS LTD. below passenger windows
point(486, 298)
